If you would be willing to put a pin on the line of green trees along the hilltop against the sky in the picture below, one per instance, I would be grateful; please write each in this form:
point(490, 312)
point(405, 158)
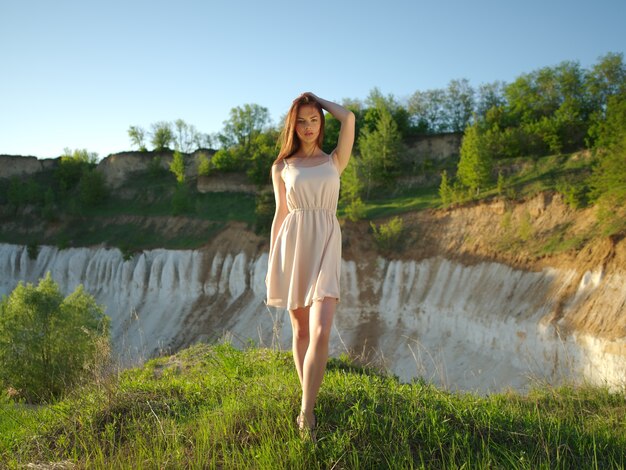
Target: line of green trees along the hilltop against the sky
point(551, 110)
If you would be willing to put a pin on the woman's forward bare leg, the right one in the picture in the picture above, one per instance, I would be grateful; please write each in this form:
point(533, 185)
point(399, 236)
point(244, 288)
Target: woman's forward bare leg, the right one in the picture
point(316, 356)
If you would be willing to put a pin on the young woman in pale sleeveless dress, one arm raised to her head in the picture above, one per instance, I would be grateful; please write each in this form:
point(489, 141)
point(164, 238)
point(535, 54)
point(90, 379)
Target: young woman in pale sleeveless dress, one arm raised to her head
point(305, 247)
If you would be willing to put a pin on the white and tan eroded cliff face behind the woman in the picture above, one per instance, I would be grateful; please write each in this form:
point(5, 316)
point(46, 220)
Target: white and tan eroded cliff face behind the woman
point(449, 316)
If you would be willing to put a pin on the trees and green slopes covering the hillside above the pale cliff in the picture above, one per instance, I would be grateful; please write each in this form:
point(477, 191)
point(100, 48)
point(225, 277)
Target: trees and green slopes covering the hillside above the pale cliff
point(557, 129)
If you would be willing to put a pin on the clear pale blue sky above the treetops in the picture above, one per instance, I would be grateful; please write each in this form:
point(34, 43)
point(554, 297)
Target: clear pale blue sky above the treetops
point(77, 74)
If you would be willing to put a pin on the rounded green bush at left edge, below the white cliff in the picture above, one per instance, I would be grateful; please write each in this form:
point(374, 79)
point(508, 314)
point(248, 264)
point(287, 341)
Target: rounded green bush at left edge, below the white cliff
point(47, 342)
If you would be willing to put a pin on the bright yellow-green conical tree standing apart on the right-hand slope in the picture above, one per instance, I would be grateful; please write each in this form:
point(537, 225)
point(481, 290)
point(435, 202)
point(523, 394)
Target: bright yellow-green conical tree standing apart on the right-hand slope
point(474, 169)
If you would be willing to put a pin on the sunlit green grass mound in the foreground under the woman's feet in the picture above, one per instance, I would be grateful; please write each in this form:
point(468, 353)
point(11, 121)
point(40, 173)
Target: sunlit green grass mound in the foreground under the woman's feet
point(219, 407)
